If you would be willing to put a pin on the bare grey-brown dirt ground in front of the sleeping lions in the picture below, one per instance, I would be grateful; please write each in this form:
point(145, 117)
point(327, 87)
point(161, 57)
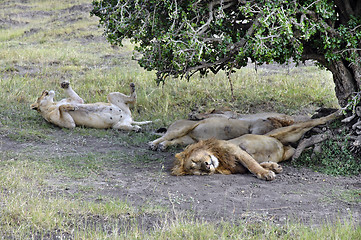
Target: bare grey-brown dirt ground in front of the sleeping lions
point(299, 195)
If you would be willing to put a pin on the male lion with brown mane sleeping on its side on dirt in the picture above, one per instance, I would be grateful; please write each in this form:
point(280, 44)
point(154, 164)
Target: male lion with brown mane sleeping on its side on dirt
point(258, 154)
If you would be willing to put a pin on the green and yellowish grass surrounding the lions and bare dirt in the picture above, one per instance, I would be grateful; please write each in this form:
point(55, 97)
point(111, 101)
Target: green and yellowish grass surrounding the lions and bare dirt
point(50, 44)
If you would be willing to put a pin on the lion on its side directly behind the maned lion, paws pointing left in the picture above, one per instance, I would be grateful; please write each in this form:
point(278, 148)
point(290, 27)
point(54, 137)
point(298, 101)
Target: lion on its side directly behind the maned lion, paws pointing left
point(186, 132)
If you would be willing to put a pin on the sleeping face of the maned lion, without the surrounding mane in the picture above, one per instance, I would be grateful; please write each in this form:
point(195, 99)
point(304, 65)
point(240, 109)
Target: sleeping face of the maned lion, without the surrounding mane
point(198, 162)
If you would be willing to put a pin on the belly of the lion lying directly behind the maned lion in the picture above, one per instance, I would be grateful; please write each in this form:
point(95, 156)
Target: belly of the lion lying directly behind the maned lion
point(223, 130)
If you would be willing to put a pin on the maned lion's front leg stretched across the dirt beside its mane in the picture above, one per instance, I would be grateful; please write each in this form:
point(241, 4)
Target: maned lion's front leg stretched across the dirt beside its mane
point(250, 163)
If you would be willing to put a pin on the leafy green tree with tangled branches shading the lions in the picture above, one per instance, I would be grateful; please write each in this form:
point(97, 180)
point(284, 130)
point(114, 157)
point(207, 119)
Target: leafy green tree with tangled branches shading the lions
point(180, 38)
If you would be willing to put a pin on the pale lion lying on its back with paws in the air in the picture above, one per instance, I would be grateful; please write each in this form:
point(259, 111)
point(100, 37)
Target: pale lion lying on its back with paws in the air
point(72, 111)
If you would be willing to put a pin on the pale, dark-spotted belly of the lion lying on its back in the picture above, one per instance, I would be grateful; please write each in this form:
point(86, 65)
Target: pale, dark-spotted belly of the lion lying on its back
point(96, 115)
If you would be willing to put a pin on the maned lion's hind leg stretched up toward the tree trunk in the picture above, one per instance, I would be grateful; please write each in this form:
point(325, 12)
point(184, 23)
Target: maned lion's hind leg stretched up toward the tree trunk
point(293, 133)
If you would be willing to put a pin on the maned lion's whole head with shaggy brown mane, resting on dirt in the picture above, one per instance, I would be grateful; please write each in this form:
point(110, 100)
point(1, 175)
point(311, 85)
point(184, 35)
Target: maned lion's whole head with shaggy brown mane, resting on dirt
point(205, 158)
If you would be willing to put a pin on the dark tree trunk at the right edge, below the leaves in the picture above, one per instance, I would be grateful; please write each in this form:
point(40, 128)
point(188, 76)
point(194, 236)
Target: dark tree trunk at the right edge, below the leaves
point(346, 78)
